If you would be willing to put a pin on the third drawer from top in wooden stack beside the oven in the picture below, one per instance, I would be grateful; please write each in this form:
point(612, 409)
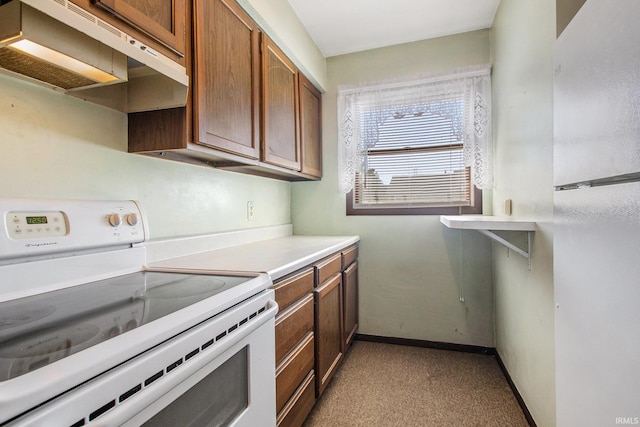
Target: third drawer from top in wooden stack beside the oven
point(293, 370)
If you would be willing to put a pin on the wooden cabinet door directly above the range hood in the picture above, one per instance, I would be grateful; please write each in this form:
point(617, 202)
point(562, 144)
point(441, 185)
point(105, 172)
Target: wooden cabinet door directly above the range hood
point(162, 20)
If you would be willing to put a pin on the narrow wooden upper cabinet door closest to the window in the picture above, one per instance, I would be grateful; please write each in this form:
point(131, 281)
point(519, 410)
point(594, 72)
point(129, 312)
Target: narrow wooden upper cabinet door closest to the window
point(310, 128)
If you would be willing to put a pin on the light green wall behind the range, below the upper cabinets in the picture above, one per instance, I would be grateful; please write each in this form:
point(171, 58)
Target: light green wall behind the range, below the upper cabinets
point(56, 146)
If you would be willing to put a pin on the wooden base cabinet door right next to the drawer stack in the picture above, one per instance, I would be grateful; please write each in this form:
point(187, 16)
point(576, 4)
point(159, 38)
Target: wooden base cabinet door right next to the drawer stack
point(329, 343)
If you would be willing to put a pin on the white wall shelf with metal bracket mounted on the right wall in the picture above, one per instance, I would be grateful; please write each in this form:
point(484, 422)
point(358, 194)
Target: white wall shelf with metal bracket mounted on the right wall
point(488, 224)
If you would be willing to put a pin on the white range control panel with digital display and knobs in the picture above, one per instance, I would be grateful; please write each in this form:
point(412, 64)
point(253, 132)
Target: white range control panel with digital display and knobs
point(38, 227)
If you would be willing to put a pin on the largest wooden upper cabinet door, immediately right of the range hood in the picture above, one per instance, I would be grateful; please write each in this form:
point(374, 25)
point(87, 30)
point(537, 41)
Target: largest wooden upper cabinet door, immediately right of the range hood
point(227, 78)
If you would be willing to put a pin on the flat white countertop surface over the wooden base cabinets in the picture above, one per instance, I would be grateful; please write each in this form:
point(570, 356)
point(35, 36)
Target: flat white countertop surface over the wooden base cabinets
point(277, 257)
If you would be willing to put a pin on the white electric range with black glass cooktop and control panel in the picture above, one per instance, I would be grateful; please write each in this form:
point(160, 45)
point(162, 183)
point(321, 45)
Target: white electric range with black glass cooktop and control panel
point(89, 336)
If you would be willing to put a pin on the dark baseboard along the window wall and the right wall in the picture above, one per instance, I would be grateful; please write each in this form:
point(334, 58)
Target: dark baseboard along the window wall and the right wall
point(489, 351)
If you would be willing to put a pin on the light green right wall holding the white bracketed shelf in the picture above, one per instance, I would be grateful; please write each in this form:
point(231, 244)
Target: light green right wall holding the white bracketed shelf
point(521, 43)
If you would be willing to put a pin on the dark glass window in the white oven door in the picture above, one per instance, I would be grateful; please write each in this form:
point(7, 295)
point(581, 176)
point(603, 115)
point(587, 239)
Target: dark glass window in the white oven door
point(215, 401)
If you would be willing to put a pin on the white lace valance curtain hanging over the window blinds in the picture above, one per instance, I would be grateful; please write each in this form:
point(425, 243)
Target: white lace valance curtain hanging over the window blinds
point(363, 108)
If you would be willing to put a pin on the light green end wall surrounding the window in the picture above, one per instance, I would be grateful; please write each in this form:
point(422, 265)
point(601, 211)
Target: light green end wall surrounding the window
point(412, 269)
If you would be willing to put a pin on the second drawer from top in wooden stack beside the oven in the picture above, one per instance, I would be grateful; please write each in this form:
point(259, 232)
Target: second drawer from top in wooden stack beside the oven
point(292, 325)
